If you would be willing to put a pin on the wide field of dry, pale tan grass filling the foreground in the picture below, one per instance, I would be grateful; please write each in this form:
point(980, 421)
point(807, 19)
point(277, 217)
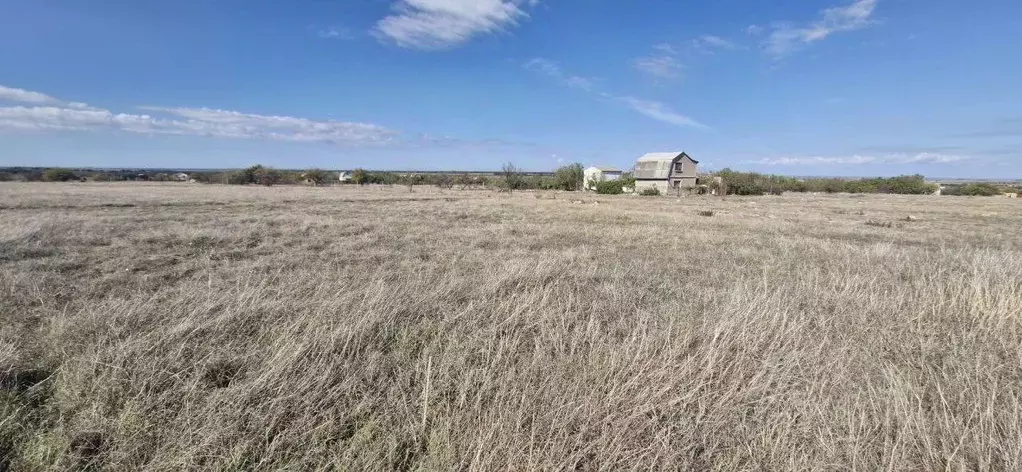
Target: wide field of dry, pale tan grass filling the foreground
point(191, 327)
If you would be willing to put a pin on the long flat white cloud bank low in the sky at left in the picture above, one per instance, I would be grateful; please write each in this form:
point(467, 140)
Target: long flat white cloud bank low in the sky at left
point(194, 122)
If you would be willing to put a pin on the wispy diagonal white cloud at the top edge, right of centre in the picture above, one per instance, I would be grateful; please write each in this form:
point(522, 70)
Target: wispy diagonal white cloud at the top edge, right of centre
point(786, 38)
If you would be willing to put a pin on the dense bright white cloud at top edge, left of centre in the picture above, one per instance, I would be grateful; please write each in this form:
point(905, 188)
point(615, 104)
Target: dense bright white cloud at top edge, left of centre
point(432, 25)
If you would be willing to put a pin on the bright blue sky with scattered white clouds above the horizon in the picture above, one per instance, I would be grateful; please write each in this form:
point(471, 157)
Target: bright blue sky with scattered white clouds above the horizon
point(821, 87)
